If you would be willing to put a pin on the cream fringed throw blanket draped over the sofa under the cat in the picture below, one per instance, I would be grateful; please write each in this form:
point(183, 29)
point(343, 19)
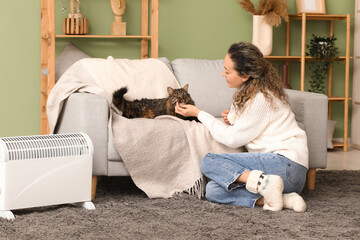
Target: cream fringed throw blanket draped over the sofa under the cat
point(162, 155)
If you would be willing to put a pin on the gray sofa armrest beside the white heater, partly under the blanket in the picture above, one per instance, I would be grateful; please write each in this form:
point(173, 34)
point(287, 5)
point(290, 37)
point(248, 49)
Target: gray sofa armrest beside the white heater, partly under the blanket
point(88, 113)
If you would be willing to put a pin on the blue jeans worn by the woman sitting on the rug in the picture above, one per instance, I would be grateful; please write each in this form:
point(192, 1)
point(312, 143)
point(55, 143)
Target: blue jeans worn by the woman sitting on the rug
point(224, 169)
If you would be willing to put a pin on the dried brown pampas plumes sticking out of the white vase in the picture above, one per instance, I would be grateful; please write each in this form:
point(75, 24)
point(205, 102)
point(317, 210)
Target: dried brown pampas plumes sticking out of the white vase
point(272, 10)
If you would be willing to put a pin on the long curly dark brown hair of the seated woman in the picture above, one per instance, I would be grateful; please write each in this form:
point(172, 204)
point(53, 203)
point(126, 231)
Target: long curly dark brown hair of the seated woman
point(249, 61)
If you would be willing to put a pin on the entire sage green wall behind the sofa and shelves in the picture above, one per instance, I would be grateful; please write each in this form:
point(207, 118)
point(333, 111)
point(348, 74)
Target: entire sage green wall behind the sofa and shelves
point(188, 29)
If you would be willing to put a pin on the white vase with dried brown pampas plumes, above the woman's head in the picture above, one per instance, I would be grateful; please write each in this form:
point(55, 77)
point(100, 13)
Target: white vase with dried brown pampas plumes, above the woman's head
point(267, 14)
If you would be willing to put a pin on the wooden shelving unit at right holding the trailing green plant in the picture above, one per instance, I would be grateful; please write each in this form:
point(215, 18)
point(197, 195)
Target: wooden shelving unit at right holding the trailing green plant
point(303, 59)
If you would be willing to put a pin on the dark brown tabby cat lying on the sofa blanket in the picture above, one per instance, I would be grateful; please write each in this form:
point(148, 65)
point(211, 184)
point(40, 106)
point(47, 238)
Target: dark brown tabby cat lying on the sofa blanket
point(151, 108)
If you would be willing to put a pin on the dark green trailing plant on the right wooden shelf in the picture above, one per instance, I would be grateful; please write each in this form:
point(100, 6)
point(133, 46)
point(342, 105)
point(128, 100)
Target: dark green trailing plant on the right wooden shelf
point(324, 52)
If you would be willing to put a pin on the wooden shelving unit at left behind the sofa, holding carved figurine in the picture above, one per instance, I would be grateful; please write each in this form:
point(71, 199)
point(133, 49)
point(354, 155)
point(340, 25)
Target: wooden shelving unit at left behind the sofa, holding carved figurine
point(48, 37)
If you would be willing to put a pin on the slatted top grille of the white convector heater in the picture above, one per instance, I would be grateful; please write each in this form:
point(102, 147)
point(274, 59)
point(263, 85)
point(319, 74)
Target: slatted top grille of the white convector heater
point(44, 146)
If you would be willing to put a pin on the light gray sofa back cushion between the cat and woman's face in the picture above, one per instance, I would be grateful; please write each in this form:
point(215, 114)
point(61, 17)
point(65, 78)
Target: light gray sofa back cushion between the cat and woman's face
point(206, 85)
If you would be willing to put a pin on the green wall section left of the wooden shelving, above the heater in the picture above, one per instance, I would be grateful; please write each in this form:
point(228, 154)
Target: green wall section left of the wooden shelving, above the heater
point(19, 67)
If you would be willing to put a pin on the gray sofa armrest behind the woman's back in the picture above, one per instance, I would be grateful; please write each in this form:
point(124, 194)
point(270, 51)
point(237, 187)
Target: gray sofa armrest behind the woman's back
point(311, 109)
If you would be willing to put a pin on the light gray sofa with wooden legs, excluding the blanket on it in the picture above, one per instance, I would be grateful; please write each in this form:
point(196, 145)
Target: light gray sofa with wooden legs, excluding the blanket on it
point(89, 113)
